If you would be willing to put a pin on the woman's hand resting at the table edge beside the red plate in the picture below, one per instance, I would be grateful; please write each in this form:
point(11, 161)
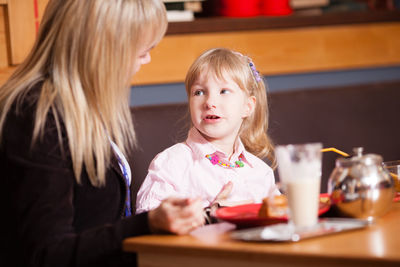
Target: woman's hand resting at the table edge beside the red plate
point(176, 215)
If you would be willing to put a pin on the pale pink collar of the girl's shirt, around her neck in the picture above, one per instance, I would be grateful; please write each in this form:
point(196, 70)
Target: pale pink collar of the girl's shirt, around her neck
point(201, 147)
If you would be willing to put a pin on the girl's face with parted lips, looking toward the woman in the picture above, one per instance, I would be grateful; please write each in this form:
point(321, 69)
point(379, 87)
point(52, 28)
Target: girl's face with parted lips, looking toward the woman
point(218, 107)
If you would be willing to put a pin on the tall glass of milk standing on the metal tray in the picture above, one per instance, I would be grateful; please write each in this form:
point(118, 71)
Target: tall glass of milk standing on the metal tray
point(299, 167)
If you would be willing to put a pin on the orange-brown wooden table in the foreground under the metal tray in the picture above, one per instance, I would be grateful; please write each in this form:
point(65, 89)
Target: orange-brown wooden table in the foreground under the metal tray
point(377, 245)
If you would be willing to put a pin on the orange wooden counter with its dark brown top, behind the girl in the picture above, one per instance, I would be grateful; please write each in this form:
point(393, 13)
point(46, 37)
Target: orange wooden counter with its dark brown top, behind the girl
point(282, 45)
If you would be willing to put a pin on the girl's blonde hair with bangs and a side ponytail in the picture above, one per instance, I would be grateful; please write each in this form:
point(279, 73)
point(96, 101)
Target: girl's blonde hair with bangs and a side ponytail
point(223, 62)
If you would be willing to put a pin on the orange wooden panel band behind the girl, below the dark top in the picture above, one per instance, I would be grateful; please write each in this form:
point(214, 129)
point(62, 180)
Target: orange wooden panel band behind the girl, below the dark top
point(283, 51)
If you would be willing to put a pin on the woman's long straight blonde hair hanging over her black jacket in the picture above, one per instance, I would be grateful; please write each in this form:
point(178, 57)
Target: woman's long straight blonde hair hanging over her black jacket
point(83, 57)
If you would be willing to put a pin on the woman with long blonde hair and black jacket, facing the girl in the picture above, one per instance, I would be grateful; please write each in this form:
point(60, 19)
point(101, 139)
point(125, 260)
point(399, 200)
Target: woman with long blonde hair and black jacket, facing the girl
point(66, 138)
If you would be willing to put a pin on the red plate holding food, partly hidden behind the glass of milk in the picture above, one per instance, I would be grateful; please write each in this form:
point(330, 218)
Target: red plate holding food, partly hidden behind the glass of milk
point(247, 215)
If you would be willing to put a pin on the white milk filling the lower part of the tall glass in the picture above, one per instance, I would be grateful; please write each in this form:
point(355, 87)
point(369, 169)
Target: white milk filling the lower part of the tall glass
point(303, 199)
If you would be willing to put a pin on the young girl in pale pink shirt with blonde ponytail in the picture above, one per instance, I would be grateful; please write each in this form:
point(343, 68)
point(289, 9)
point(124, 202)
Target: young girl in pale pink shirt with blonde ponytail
point(223, 151)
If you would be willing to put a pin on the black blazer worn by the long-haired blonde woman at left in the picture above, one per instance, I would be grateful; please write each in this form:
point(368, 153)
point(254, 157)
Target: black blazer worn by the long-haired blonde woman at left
point(48, 219)
